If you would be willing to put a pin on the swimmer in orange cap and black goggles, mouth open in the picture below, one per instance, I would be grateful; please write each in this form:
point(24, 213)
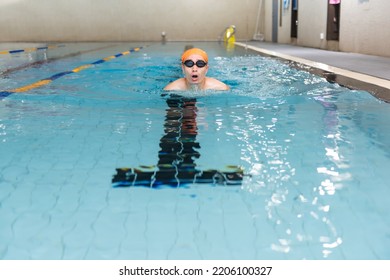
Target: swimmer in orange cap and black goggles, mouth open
point(195, 67)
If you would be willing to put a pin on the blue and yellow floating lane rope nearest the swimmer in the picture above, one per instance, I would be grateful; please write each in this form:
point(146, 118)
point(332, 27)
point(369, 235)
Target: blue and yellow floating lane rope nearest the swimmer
point(46, 81)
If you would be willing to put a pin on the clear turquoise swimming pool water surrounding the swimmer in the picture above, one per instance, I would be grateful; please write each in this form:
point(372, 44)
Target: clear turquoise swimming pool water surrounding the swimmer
point(314, 158)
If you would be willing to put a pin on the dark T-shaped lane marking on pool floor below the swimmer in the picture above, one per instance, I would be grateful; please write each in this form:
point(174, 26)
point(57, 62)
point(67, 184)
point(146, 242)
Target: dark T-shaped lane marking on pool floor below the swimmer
point(179, 148)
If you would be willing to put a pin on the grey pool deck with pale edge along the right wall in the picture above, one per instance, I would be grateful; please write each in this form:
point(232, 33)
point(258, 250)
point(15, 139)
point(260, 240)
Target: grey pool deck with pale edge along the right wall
point(356, 71)
